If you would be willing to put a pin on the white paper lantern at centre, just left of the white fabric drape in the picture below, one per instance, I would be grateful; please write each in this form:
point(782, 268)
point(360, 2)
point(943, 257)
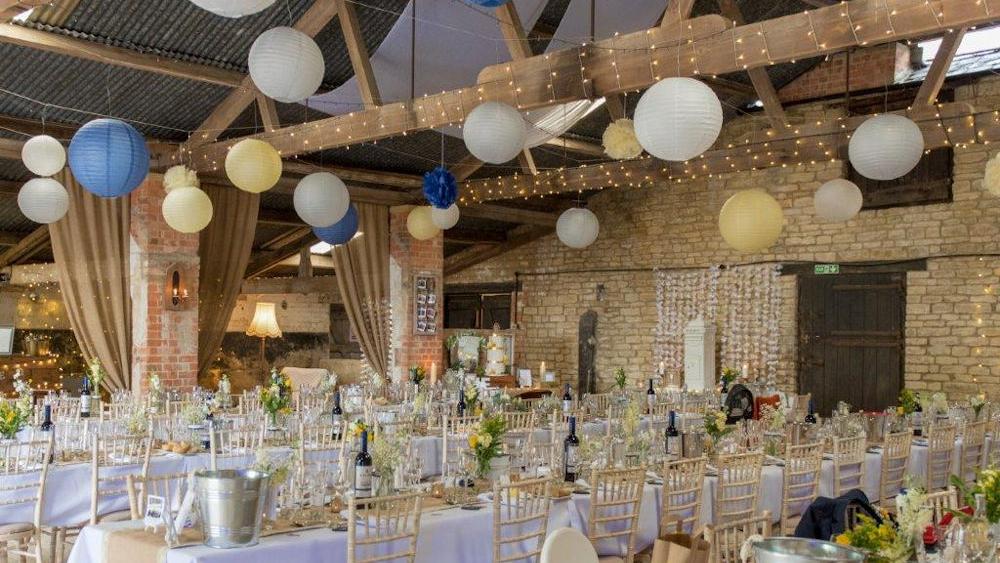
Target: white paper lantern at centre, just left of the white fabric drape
point(494, 132)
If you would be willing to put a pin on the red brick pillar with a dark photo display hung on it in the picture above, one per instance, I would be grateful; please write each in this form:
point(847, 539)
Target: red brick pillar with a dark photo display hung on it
point(408, 258)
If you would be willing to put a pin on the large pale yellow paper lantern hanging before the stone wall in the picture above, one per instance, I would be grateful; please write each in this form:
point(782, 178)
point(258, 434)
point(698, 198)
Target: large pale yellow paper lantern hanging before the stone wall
point(751, 220)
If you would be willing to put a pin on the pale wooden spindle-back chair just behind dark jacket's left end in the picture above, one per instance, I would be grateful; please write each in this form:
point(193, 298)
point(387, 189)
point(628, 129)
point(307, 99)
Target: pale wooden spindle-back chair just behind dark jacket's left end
point(738, 491)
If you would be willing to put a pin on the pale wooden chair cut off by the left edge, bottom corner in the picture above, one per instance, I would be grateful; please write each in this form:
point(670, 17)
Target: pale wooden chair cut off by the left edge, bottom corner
point(17, 463)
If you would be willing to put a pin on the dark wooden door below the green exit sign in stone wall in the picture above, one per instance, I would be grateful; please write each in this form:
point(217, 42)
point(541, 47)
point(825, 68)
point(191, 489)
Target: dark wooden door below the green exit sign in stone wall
point(851, 339)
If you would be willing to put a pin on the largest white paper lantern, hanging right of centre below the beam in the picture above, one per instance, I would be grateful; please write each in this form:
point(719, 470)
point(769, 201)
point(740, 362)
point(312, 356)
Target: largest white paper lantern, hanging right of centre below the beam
point(678, 119)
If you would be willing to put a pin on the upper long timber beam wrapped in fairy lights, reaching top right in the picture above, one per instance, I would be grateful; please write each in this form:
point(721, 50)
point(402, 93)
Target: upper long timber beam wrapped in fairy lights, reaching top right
point(707, 45)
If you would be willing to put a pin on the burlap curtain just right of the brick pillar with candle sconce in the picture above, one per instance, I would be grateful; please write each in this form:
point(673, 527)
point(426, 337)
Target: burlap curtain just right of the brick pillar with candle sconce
point(224, 249)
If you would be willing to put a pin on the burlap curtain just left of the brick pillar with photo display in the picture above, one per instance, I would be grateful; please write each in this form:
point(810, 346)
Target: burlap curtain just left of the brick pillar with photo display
point(362, 267)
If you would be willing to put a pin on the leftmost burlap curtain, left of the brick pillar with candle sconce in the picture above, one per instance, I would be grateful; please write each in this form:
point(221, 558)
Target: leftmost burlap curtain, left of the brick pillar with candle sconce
point(91, 249)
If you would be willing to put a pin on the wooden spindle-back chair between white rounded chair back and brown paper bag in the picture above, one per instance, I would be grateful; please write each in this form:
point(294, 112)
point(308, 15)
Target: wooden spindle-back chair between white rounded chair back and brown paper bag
point(615, 501)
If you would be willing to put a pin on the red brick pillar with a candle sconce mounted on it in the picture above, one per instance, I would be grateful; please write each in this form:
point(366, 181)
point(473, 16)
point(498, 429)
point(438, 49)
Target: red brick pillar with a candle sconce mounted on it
point(164, 336)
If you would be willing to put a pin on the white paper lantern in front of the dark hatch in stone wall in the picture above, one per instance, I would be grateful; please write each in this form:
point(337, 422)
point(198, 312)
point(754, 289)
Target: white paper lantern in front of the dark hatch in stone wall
point(886, 147)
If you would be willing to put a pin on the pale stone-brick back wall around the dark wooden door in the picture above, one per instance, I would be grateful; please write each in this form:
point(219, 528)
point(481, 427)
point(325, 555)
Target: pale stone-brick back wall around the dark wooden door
point(676, 225)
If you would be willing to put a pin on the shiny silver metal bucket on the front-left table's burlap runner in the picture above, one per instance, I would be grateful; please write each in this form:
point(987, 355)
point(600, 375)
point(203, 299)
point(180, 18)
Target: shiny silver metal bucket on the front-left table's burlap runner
point(232, 503)
